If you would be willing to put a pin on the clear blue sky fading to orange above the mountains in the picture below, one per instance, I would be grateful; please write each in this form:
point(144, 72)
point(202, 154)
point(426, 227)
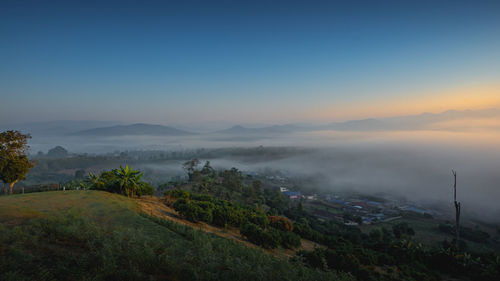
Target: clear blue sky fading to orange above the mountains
point(273, 62)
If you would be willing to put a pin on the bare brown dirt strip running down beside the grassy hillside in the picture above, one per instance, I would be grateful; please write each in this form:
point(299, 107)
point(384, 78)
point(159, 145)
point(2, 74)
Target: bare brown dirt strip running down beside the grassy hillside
point(154, 206)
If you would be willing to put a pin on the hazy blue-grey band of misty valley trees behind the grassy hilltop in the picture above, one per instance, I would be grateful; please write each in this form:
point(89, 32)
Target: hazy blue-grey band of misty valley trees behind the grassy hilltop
point(52, 169)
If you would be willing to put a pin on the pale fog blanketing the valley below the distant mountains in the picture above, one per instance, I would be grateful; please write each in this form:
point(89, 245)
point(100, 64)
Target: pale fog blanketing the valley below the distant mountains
point(414, 164)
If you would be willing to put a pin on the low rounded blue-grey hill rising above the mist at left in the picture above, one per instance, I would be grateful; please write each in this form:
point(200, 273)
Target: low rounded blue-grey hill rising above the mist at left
point(133, 130)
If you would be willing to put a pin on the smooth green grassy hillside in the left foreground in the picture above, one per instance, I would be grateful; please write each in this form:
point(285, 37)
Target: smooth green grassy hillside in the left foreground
point(92, 235)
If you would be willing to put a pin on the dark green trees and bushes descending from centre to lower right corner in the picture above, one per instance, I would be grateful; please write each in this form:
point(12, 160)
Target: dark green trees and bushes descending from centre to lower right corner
point(382, 254)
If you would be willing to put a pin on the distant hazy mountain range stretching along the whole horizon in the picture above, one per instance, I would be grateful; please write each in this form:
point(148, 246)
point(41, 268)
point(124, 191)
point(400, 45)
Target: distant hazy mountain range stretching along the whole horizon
point(448, 120)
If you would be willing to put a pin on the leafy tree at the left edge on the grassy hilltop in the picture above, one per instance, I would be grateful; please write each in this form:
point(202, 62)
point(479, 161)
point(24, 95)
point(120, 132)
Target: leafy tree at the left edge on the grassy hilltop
point(14, 163)
